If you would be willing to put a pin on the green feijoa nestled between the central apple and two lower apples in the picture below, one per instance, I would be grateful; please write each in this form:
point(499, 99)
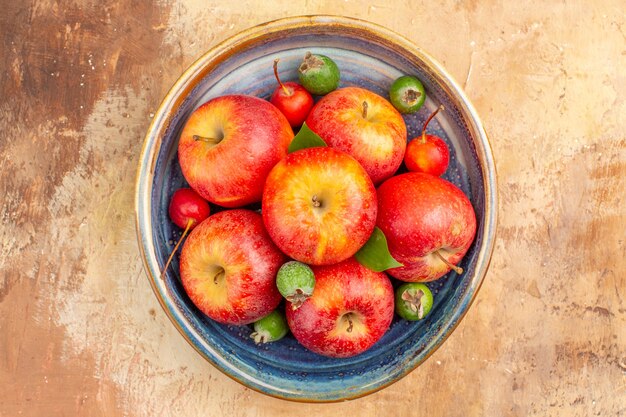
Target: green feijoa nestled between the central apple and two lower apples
point(295, 282)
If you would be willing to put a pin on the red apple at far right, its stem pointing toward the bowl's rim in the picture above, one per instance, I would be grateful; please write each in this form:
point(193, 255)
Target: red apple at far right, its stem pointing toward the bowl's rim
point(429, 224)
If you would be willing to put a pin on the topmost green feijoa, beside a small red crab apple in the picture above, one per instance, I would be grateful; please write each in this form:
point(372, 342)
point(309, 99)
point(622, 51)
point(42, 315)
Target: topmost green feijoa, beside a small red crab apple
point(318, 74)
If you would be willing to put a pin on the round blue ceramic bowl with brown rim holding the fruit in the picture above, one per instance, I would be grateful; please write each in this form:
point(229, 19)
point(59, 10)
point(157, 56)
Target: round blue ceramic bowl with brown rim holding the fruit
point(368, 56)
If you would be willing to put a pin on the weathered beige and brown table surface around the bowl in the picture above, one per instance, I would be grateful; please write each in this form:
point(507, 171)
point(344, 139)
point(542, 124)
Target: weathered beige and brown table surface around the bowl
point(81, 333)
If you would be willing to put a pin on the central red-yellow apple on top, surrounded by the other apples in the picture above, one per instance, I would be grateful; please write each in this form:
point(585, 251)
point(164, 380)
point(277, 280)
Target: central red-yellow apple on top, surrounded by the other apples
point(319, 205)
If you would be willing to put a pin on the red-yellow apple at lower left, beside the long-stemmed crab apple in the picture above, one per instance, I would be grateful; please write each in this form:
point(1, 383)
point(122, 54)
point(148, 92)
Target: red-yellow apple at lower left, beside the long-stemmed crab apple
point(228, 267)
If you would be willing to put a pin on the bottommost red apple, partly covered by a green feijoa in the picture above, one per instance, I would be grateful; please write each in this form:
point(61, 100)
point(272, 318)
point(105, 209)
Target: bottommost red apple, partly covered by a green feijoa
point(350, 310)
